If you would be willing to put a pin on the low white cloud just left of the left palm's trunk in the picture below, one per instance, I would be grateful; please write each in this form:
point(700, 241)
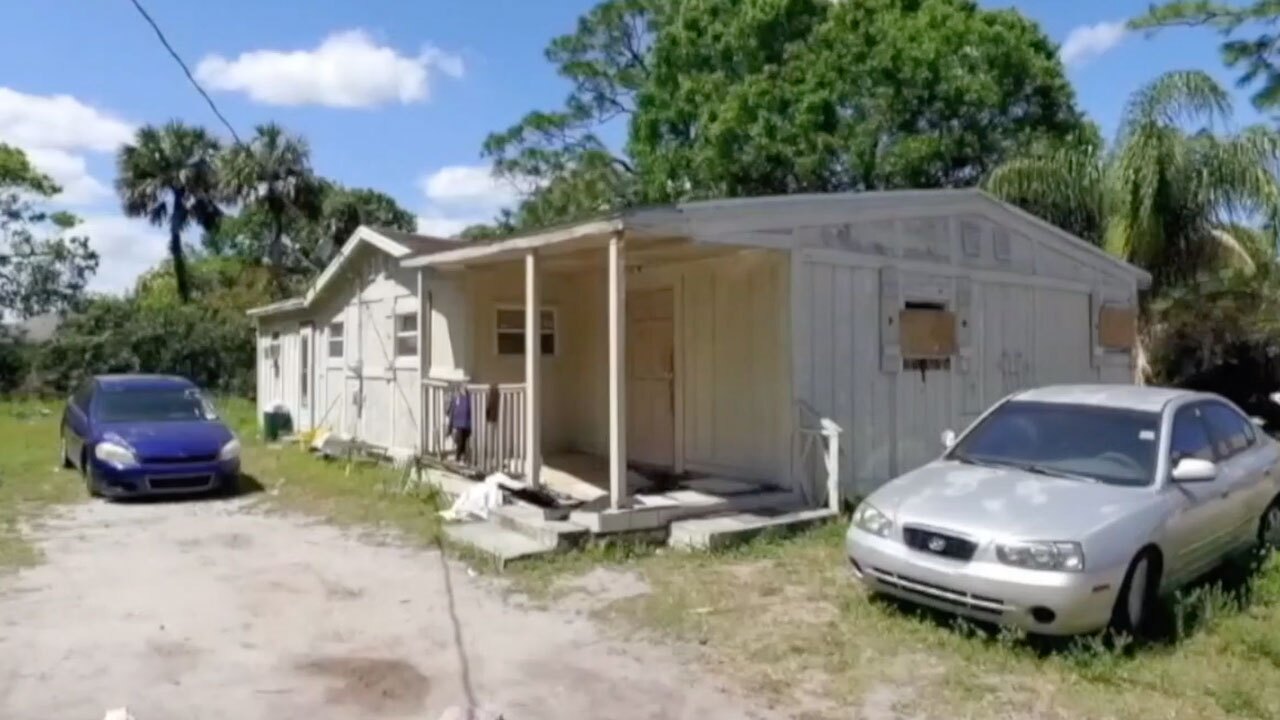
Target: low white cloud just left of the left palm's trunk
point(127, 248)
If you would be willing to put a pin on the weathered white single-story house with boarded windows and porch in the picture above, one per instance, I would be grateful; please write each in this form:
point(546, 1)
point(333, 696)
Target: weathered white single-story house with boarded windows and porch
point(801, 343)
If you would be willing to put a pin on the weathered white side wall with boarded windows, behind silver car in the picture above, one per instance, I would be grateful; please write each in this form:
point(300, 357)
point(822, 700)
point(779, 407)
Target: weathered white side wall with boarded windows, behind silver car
point(1025, 309)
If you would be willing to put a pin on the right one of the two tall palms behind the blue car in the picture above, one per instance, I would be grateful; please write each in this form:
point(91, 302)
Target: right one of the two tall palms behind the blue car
point(275, 171)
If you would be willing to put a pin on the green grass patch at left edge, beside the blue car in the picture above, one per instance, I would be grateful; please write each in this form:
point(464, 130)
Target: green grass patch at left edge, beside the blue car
point(31, 480)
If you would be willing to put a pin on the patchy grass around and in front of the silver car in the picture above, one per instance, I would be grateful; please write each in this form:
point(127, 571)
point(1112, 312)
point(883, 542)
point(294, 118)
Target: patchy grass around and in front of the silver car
point(785, 619)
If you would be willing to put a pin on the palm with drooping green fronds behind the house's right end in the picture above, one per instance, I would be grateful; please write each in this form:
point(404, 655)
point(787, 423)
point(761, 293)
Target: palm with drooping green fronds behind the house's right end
point(1171, 195)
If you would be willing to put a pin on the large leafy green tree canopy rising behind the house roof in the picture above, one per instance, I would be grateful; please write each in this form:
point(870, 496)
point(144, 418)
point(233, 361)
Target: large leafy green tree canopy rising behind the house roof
point(730, 98)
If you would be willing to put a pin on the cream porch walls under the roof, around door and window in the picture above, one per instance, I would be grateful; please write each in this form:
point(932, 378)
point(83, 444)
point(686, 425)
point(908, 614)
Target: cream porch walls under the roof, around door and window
point(733, 372)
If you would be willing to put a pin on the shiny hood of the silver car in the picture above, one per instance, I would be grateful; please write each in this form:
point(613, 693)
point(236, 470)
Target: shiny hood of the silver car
point(994, 503)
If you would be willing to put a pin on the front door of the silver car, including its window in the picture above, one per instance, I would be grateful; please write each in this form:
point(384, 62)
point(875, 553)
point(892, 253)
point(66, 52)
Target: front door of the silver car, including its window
point(1201, 517)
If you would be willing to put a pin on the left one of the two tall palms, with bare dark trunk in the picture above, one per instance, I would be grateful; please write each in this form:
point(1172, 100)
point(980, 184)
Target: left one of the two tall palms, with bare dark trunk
point(168, 176)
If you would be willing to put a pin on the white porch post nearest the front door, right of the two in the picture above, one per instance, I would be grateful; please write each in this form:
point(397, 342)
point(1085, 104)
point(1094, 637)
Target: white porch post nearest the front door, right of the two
point(618, 373)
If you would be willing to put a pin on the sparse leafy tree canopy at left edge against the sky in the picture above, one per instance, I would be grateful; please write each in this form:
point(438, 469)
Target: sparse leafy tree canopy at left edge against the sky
point(44, 265)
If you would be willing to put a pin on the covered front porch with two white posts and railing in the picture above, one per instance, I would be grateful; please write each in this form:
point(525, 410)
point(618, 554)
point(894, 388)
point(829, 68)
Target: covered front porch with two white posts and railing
point(659, 386)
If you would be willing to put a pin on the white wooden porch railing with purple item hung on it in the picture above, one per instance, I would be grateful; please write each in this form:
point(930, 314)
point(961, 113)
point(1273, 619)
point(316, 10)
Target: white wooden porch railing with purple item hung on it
point(496, 446)
